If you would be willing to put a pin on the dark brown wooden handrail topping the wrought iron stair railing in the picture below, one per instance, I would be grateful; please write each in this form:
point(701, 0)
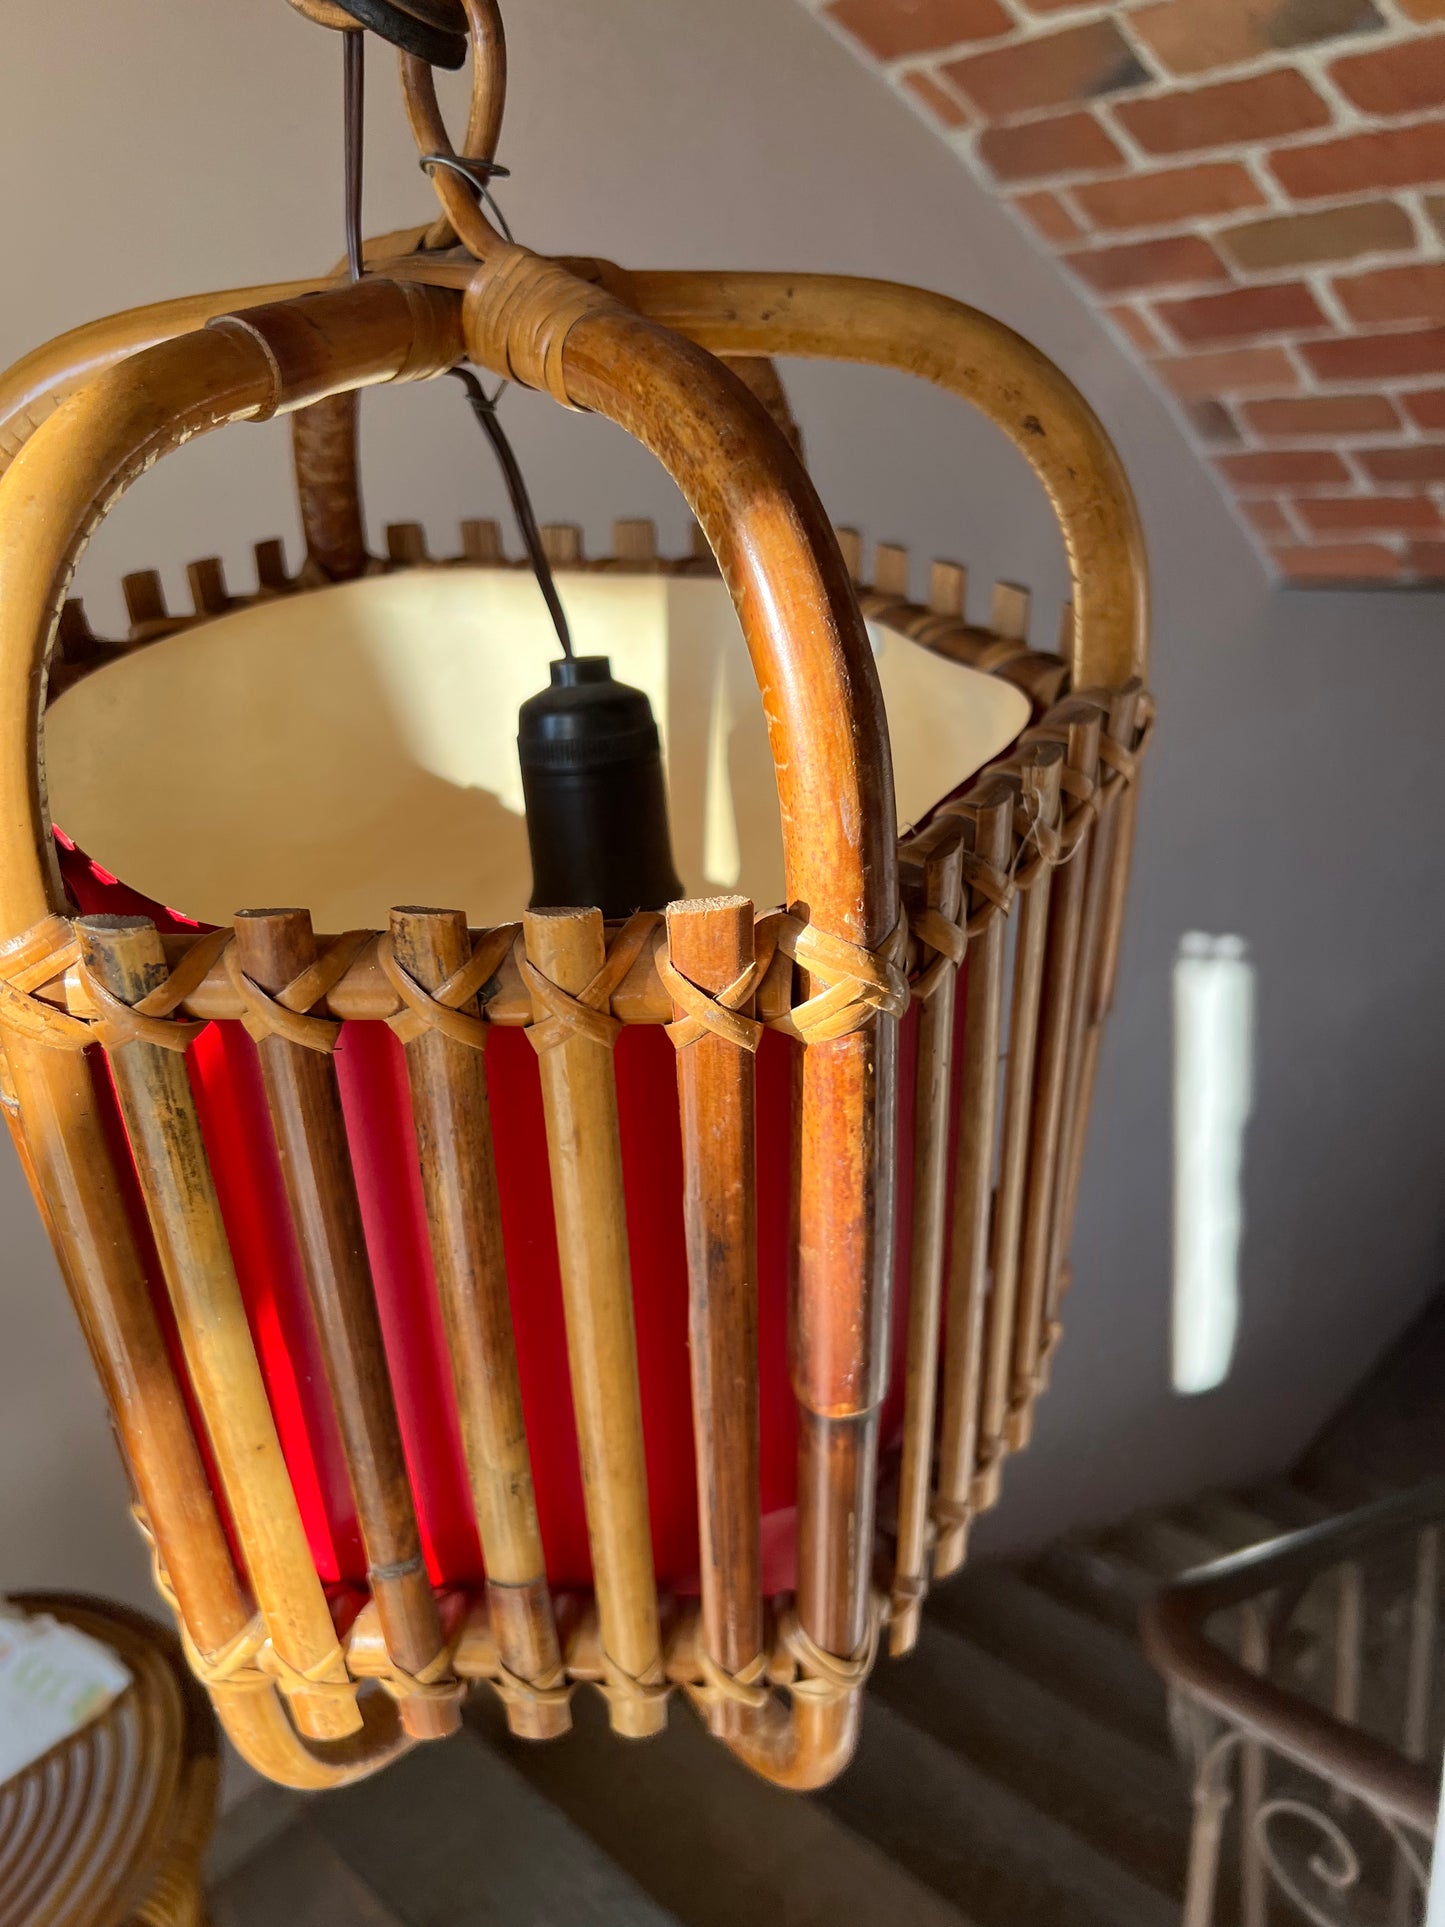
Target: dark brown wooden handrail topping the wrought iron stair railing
point(1176, 1641)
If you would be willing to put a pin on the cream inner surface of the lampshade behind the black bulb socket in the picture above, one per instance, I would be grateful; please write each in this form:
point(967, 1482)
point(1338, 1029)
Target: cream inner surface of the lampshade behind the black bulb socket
point(355, 749)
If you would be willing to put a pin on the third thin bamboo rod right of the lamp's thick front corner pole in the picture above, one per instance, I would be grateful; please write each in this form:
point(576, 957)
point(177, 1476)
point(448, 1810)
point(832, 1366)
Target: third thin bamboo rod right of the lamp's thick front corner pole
point(1039, 779)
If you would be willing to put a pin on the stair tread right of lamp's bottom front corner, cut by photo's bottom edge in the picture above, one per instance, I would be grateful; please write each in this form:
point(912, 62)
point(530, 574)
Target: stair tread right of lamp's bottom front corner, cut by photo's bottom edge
point(980, 1843)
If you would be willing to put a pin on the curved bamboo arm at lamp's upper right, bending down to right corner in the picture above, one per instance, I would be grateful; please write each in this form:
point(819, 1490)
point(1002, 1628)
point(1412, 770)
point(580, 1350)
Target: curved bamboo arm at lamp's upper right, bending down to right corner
point(987, 365)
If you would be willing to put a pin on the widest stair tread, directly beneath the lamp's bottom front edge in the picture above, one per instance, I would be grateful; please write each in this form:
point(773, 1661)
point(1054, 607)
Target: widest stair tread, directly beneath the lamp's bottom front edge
point(708, 1839)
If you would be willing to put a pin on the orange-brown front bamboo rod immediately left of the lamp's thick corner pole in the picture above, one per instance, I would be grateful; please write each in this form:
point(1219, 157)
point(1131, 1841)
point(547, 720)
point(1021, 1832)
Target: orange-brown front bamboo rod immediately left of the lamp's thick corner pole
point(712, 945)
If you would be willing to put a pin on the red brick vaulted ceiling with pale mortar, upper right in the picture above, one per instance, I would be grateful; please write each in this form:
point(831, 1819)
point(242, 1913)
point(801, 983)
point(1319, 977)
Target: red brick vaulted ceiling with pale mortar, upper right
point(1253, 194)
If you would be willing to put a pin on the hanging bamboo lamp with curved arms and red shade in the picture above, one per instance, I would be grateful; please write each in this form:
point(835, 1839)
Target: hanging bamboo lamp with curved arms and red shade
point(517, 1304)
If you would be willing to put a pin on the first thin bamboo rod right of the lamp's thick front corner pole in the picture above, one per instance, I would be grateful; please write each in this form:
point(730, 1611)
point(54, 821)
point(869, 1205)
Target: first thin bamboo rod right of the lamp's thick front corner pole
point(932, 884)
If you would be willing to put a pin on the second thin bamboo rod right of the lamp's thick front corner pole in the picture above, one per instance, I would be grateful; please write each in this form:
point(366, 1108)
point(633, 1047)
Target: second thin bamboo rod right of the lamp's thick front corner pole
point(987, 822)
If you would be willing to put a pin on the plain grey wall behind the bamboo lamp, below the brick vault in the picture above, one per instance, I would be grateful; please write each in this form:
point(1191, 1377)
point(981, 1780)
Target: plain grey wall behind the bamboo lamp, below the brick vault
point(1290, 797)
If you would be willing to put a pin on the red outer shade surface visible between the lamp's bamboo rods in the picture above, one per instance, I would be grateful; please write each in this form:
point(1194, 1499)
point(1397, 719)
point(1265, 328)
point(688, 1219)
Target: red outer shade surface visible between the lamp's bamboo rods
point(371, 1069)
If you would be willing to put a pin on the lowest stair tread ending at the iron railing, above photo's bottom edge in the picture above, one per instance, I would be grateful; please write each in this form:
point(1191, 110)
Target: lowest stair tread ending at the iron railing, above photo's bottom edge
point(1109, 1789)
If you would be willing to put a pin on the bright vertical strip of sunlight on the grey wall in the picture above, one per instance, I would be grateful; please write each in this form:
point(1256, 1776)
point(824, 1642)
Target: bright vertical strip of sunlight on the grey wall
point(1213, 1095)
